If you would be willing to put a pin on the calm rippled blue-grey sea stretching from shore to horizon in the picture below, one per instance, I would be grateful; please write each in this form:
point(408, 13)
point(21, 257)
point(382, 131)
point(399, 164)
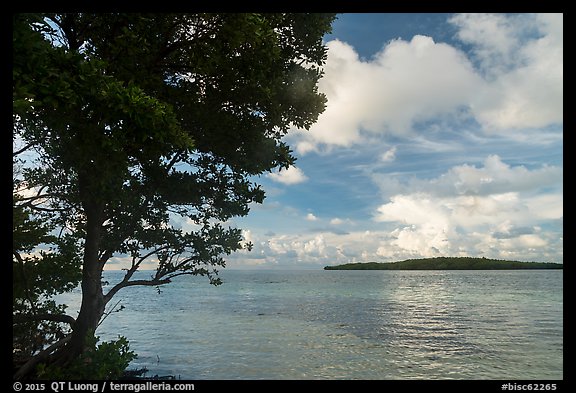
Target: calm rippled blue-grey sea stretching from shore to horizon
point(316, 324)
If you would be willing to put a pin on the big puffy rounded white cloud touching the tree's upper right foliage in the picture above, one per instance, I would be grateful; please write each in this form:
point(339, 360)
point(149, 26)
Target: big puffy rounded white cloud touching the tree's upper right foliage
point(406, 82)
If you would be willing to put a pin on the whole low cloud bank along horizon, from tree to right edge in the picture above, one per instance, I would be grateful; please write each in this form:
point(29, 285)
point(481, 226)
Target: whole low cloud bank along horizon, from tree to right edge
point(494, 209)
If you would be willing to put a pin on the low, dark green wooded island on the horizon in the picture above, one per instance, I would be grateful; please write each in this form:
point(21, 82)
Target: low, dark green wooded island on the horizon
point(447, 263)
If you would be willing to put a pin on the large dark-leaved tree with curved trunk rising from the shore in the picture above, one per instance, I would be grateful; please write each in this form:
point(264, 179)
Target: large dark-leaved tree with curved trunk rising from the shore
point(140, 120)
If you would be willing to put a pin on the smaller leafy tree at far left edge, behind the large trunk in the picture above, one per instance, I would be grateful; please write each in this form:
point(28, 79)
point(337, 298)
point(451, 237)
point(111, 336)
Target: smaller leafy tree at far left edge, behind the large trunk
point(36, 277)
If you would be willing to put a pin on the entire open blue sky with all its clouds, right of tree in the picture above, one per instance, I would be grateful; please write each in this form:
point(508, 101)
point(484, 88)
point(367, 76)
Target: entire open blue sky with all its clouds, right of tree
point(442, 136)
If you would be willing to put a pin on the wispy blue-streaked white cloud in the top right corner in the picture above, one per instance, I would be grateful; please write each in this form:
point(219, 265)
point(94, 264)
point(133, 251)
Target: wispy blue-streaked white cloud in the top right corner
point(522, 57)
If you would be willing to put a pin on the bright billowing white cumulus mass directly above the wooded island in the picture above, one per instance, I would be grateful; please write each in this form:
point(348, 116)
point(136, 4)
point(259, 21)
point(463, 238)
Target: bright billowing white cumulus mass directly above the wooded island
point(497, 204)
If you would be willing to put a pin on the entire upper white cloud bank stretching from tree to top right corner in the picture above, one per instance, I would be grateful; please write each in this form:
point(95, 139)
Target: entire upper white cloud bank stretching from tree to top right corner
point(511, 79)
